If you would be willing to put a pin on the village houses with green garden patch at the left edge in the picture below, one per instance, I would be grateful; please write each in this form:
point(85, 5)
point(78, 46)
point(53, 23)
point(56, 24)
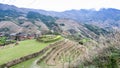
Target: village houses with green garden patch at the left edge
point(6, 38)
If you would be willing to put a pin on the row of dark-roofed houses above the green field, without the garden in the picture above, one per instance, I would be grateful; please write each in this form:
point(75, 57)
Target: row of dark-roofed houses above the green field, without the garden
point(18, 36)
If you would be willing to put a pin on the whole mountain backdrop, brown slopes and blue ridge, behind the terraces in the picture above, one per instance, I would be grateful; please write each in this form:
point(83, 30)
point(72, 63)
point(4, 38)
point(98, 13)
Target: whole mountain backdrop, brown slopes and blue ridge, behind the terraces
point(89, 23)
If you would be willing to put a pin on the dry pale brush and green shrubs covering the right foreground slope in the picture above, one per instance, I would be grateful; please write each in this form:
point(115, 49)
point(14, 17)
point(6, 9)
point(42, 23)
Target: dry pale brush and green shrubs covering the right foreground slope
point(108, 57)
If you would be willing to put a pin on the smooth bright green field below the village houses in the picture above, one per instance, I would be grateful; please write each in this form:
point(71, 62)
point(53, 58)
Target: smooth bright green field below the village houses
point(11, 52)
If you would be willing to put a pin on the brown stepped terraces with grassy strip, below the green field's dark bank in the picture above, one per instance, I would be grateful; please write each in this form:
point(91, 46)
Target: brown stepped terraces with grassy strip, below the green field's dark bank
point(58, 55)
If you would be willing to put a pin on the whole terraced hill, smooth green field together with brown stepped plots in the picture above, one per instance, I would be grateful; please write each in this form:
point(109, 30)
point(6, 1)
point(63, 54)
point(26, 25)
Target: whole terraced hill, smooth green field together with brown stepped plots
point(58, 54)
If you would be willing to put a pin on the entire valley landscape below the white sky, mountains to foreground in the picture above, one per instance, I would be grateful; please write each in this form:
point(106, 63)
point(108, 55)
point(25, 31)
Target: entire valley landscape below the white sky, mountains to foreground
point(31, 38)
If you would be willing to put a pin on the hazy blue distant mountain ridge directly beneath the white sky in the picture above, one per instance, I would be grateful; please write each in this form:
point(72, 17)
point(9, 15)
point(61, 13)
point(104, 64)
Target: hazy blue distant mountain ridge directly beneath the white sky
point(105, 18)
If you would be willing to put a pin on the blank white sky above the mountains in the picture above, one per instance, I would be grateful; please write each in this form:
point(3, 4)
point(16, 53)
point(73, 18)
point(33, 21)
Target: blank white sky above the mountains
point(63, 5)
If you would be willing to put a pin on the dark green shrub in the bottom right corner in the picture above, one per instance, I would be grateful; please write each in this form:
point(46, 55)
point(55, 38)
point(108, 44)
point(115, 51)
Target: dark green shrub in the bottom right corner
point(108, 61)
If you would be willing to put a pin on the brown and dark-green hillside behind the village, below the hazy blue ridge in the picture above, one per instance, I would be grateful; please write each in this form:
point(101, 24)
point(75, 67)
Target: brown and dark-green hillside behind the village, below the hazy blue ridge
point(29, 21)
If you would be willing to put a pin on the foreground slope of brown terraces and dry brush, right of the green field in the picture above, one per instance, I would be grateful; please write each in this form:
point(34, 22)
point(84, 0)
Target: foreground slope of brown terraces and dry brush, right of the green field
point(68, 54)
